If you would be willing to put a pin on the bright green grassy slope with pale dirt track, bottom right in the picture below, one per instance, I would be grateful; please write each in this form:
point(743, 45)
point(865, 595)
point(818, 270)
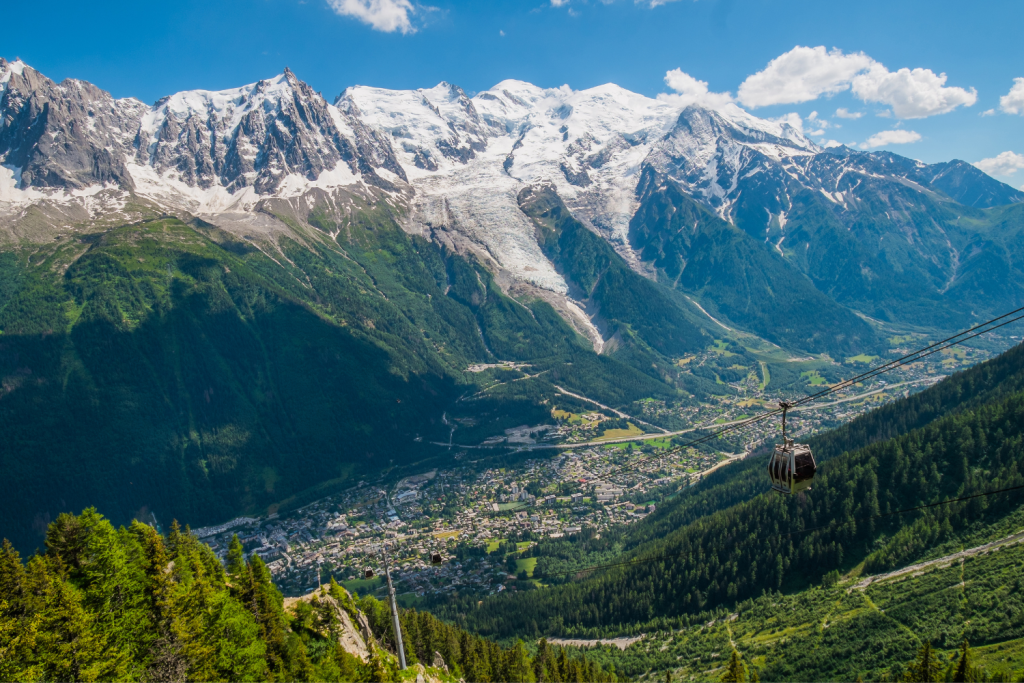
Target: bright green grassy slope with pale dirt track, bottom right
point(839, 633)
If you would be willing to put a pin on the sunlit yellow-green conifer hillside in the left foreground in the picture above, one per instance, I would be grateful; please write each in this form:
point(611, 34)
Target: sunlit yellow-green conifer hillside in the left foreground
point(129, 605)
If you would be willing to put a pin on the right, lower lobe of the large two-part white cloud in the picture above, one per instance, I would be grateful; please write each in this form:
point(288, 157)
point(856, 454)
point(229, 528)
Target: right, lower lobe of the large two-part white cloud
point(912, 95)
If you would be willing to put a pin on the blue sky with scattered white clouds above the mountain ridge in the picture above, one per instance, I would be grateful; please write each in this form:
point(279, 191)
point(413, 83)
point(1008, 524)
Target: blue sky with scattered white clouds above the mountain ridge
point(148, 51)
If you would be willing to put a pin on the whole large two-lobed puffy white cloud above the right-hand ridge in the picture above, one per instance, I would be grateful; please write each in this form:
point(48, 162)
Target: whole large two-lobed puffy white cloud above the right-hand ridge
point(804, 74)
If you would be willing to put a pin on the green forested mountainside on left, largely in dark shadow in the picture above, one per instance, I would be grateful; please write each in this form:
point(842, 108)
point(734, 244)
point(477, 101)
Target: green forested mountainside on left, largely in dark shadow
point(173, 370)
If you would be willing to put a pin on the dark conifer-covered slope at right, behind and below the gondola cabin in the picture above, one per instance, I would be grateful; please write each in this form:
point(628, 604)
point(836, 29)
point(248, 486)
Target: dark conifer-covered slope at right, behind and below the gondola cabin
point(730, 540)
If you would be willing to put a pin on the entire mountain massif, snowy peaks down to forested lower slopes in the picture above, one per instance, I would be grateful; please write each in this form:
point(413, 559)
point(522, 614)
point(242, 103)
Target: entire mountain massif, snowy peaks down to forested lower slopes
point(234, 303)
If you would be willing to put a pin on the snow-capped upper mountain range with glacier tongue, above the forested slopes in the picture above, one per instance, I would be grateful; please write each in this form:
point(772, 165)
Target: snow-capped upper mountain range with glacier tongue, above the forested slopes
point(454, 164)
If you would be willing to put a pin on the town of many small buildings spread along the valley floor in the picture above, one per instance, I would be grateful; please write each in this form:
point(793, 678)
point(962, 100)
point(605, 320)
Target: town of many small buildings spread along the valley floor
point(608, 479)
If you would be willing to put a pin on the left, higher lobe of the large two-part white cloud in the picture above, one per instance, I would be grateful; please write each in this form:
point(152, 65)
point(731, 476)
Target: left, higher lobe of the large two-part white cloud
point(801, 75)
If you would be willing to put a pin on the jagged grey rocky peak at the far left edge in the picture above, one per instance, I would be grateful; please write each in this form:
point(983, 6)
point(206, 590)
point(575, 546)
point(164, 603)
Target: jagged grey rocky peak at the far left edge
point(69, 136)
